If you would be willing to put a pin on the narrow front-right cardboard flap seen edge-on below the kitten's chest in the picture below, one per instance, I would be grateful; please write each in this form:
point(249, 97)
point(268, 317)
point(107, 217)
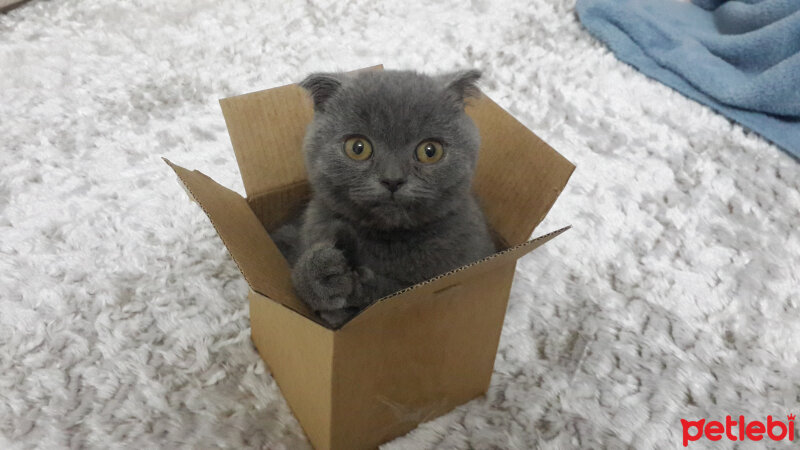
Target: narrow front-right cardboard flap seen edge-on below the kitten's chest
point(451, 280)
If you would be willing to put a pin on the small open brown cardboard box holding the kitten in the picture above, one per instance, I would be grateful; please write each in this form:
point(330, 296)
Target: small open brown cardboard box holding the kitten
point(409, 357)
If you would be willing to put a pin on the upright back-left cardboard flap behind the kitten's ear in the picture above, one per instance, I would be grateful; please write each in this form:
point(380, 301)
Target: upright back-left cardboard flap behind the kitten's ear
point(267, 130)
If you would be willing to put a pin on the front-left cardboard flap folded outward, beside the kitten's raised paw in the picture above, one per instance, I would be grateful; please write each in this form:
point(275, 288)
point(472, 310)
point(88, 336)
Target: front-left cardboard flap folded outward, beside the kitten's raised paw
point(262, 264)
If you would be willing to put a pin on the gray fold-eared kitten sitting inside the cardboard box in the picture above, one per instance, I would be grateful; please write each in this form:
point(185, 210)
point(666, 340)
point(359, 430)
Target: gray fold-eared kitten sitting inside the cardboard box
point(390, 157)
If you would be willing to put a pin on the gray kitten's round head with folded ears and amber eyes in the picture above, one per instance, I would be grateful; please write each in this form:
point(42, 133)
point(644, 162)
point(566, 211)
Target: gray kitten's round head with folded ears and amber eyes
point(391, 149)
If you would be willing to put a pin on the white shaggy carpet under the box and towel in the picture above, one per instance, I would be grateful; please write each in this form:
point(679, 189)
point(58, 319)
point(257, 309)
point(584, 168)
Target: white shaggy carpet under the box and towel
point(123, 321)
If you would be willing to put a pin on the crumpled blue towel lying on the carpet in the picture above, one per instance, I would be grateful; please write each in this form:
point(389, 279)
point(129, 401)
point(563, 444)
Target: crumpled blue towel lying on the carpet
point(740, 57)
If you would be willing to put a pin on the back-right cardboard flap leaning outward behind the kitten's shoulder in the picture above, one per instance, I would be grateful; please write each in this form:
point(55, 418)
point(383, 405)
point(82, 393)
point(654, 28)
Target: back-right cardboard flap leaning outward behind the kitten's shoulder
point(519, 176)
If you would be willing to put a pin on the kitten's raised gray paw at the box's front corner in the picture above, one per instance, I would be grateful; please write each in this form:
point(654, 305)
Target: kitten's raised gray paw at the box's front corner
point(323, 278)
